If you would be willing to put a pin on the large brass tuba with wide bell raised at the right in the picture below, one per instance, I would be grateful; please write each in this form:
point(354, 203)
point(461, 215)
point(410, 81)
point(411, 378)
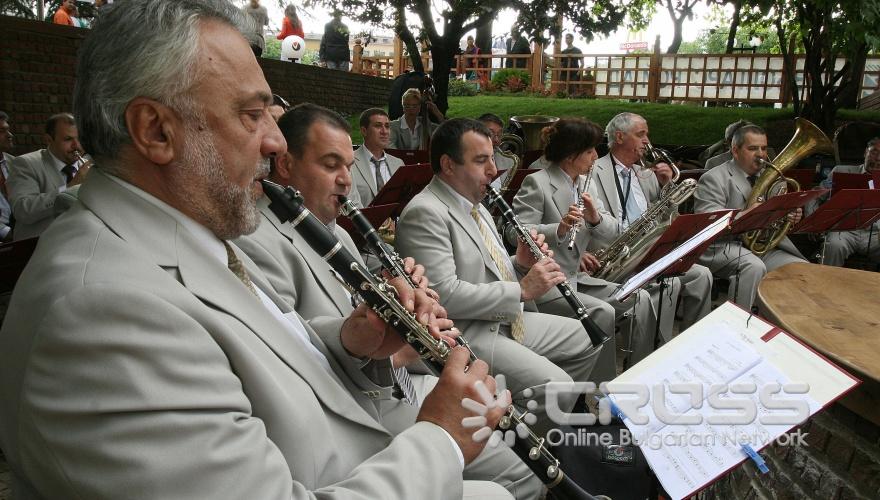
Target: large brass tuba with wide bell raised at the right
point(808, 139)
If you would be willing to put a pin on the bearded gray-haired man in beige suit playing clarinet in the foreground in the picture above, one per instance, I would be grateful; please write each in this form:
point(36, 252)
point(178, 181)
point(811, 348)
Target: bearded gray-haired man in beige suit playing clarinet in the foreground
point(144, 355)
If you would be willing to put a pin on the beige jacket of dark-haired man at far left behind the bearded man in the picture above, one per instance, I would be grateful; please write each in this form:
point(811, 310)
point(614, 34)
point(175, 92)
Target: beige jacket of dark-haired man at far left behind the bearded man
point(33, 186)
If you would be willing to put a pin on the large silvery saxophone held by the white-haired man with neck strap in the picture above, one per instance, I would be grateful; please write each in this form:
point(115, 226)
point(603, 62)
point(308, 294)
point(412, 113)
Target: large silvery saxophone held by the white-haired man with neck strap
point(621, 257)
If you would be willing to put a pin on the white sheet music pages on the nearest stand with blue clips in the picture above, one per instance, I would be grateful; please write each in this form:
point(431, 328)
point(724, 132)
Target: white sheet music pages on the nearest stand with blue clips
point(691, 447)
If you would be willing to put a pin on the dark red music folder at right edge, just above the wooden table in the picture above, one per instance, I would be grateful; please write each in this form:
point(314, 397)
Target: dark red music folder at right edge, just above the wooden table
point(848, 210)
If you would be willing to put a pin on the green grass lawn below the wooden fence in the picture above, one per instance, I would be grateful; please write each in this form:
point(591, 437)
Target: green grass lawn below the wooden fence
point(669, 123)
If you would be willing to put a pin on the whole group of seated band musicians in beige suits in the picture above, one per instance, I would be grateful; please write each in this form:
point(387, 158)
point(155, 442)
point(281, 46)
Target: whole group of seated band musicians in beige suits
point(172, 337)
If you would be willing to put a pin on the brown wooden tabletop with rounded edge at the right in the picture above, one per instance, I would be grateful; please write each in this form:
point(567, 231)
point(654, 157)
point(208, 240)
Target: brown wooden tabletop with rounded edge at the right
point(836, 311)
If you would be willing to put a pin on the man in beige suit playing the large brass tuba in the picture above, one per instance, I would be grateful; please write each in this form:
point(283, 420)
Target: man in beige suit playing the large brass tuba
point(728, 186)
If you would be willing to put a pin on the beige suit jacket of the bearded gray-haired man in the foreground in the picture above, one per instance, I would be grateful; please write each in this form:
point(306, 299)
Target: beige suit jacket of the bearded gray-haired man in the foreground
point(134, 365)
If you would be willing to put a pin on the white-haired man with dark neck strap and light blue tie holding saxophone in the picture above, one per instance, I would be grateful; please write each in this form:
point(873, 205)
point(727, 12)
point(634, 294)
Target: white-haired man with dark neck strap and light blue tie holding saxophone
point(627, 191)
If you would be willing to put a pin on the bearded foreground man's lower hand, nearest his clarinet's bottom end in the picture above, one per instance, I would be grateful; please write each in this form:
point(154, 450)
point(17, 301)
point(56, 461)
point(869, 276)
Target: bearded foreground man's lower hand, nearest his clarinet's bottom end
point(443, 405)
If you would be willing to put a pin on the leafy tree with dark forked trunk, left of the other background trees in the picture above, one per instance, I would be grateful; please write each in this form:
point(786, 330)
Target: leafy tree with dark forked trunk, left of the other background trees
point(442, 24)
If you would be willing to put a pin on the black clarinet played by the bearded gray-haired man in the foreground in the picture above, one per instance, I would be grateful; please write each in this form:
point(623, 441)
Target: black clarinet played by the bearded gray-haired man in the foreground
point(287, 205)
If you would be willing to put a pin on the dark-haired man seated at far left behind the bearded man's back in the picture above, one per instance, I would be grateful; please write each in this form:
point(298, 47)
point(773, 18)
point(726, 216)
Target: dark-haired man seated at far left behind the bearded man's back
point(36, 179)
